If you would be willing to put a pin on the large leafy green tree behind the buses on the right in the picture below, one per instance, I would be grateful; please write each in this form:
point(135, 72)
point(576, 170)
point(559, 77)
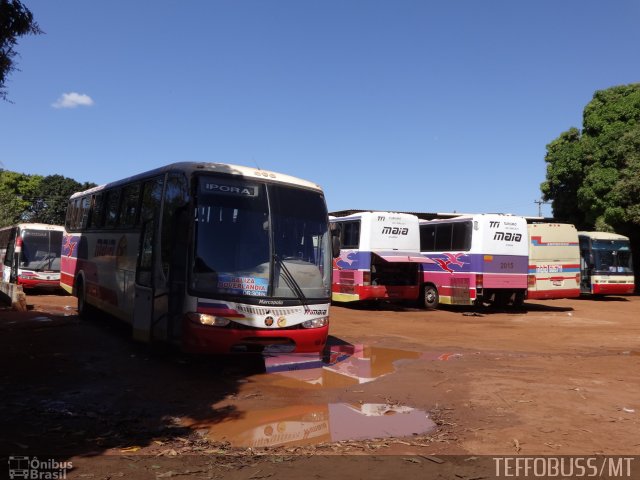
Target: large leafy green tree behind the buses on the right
point(593, 175)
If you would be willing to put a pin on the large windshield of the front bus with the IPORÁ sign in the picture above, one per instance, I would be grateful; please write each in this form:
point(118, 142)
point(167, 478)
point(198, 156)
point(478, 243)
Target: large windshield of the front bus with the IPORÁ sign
point(240, 225)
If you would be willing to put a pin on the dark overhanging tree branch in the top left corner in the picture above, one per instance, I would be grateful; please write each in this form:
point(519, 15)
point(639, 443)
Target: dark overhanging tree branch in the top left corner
point(15, 21)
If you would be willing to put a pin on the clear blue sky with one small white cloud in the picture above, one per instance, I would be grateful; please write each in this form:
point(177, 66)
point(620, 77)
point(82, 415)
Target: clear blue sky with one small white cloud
point(405, 105)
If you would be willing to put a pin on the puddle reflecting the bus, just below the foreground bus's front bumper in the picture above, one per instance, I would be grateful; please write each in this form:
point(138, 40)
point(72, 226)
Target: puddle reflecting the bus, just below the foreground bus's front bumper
point(344, 365)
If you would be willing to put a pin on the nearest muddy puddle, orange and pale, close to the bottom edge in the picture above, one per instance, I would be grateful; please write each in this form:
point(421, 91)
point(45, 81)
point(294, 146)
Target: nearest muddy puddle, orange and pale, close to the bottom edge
point(309, 424)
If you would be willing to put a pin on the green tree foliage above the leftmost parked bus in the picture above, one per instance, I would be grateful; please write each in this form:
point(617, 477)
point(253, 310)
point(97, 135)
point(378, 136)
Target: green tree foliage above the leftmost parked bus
point(34, 198)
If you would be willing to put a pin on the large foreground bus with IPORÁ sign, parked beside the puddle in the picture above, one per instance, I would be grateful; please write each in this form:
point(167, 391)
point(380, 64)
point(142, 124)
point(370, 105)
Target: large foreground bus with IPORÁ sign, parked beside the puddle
point(217, 258)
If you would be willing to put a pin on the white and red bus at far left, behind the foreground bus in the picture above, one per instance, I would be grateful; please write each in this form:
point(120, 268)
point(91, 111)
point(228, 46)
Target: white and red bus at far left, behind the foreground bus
point(30, 255)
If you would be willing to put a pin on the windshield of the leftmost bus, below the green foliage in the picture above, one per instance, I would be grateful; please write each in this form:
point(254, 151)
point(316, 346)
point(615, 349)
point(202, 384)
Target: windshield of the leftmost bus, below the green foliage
point(41, 250)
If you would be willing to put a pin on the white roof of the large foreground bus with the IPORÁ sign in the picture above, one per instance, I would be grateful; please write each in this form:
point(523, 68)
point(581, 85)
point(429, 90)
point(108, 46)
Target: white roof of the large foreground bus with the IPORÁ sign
point(191, 167)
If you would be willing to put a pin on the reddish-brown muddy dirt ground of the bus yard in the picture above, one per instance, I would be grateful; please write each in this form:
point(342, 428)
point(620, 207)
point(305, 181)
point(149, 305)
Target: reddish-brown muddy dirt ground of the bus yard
point(555, 378)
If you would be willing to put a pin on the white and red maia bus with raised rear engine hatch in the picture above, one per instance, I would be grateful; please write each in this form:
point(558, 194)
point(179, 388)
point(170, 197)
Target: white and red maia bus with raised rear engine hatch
point(379, 257)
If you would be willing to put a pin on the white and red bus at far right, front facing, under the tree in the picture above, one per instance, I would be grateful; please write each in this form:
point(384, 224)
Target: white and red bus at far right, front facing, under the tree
point(605, 264)
